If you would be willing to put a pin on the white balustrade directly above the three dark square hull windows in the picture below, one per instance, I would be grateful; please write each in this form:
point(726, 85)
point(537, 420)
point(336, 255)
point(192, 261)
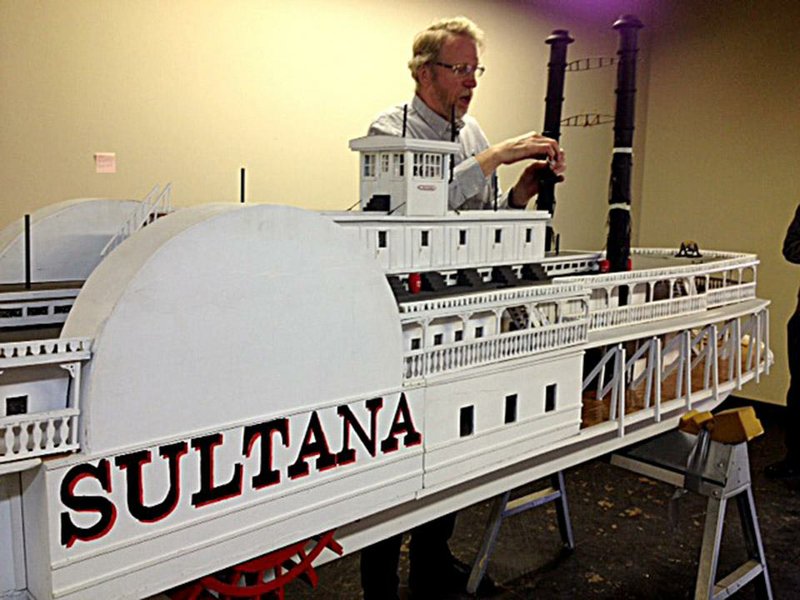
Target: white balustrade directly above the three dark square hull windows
point(462, 355)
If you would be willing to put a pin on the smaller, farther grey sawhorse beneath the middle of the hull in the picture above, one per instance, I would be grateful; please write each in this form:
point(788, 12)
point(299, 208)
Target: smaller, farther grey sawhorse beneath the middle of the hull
point(505, 507)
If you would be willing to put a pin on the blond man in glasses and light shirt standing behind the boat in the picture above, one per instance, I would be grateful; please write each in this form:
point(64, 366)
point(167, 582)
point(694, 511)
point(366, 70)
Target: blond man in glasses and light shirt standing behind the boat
point(446, 68)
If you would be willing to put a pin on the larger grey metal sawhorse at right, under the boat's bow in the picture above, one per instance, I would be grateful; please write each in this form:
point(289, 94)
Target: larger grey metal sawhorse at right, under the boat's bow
point(720, 472)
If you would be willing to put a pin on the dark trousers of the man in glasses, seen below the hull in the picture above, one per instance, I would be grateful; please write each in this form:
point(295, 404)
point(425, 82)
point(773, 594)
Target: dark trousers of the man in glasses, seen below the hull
point(429, 554)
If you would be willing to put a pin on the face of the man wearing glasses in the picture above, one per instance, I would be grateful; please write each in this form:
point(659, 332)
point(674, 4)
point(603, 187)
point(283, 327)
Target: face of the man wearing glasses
point(442, 89)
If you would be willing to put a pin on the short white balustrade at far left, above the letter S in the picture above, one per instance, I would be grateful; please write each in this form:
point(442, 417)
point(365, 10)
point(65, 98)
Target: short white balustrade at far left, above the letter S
point(30, 435)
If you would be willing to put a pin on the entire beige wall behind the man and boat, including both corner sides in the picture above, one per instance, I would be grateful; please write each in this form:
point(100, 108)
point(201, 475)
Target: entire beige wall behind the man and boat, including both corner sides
point(189, 91)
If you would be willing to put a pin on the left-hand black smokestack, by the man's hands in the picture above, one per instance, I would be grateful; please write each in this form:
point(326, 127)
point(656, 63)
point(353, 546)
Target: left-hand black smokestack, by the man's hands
point(558, 41)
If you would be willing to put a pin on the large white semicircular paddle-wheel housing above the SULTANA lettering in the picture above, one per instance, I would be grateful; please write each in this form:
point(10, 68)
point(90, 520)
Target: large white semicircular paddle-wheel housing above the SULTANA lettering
point(246, 312)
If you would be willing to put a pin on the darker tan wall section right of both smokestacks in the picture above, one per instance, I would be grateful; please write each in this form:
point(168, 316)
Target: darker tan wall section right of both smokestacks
point(722, 144)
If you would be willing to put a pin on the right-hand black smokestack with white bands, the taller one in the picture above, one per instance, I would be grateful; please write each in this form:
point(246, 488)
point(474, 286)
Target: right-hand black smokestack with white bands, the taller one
point(618, 244)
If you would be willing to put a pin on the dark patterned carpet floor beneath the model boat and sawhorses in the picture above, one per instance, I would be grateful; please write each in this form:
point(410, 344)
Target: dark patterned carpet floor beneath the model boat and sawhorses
point(627, 545)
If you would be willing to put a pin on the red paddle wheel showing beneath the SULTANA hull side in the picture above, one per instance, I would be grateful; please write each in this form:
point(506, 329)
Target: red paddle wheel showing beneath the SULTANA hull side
point(262, 578)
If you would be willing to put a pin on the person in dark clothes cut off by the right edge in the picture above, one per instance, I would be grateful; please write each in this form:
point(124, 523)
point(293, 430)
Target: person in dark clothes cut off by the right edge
point(789, 466)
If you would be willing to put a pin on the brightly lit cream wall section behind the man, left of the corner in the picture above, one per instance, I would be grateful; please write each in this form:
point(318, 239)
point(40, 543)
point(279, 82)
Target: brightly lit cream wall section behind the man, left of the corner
point(190, 92)
